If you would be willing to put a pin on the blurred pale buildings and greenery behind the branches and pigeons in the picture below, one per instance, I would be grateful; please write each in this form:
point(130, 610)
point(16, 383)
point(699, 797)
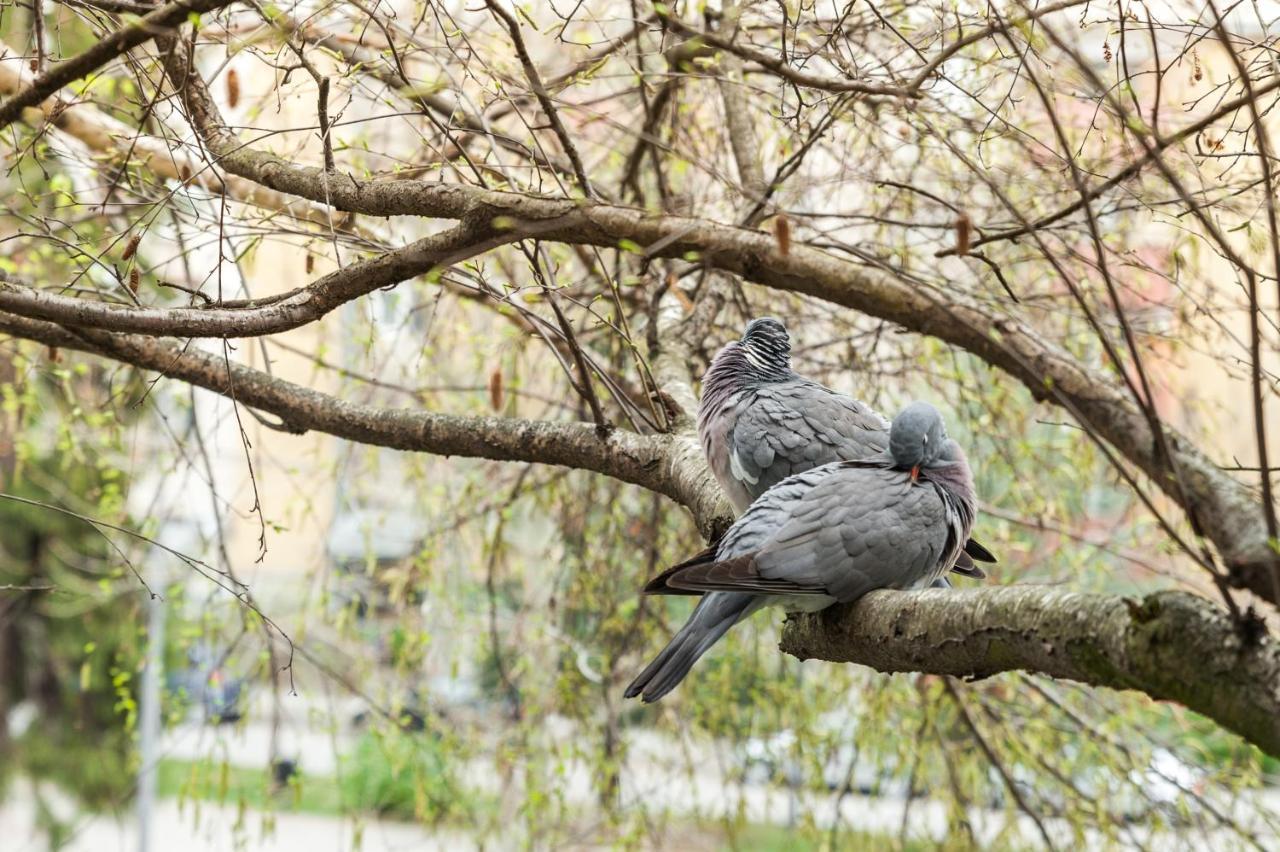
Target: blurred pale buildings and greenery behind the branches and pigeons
point(216, 634)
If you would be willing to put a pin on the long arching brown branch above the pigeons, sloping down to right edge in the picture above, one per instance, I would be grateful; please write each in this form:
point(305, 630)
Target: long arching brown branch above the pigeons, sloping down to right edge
point(1229, 512)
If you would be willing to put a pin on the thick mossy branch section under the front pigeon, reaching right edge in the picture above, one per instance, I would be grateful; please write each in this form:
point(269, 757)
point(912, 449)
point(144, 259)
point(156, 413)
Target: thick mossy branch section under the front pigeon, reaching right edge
point(1169, 645)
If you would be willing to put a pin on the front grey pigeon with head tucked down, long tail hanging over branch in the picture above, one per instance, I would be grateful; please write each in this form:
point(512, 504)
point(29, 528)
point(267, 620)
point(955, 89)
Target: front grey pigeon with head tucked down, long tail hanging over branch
point(830, 534)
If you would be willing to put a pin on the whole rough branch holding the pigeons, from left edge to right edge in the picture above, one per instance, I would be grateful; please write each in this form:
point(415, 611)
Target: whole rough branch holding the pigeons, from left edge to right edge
point(1169, 645)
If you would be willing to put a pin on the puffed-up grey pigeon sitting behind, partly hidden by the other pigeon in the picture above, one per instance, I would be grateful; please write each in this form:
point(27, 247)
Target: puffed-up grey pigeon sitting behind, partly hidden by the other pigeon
point(761, 423)
